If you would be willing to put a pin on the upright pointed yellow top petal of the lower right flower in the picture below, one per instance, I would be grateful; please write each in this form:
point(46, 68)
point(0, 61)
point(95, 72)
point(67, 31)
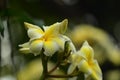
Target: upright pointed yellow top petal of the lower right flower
point(87, 51)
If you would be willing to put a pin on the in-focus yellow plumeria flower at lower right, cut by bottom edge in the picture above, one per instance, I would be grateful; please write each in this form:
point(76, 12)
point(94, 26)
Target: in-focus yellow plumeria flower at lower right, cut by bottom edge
point(85, 62)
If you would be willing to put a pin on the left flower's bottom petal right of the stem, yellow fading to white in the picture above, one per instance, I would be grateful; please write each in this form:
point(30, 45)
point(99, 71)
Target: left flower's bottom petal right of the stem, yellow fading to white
point(50, 48)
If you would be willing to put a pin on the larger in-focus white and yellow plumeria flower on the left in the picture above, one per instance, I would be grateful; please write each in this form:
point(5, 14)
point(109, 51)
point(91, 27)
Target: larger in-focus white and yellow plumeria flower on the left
point(50, 38)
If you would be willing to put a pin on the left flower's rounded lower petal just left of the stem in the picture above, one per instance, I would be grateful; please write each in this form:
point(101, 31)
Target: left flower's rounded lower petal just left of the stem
point(36, 46)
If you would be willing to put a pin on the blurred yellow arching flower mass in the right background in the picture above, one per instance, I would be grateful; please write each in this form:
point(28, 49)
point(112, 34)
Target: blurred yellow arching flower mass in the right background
point(104, 44)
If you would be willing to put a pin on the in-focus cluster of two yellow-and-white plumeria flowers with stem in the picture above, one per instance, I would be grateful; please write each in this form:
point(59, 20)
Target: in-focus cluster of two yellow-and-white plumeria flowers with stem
point(51, 39)
